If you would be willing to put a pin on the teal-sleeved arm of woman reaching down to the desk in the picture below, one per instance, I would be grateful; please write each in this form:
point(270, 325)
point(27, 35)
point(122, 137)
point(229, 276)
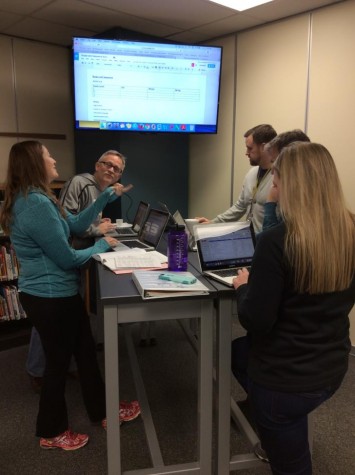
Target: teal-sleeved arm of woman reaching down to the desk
point(43, 224)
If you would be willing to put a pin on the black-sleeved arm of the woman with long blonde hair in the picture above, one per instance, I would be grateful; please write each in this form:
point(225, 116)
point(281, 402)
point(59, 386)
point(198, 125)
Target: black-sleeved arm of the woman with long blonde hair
point(259, 300)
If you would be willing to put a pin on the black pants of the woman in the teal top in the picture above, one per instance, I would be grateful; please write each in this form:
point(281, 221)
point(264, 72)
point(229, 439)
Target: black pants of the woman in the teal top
point(64, 327)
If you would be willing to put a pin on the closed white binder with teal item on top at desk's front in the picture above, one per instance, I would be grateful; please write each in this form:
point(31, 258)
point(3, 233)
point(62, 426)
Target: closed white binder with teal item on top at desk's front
point(151, 286)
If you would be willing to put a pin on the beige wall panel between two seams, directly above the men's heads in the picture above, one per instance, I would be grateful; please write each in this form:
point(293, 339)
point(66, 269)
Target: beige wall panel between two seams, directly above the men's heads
point(272, 65)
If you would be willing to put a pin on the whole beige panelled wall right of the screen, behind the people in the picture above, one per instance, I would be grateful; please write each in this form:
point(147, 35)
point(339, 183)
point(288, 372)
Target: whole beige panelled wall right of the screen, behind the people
point(295, 73)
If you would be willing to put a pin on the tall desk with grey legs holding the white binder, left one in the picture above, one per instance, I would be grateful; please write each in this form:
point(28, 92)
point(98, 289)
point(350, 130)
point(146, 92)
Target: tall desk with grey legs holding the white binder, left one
point(121, 304)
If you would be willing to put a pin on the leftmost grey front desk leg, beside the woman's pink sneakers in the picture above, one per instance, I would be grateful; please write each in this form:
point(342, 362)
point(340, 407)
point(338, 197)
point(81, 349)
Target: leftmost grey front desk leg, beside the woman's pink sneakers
point(112, 390)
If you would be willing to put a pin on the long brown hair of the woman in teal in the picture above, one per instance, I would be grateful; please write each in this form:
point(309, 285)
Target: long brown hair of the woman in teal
point(26, 170)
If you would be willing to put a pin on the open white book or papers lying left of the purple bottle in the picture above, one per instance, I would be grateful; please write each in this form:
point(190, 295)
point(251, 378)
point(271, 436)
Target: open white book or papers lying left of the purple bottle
point(125, 261)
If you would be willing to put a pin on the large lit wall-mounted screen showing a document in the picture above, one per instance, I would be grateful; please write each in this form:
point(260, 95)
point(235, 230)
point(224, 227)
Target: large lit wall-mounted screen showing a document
point(135, 86)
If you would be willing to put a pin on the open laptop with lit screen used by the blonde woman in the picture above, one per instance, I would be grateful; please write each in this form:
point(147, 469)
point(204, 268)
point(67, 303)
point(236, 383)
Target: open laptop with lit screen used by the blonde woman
point(224, 248)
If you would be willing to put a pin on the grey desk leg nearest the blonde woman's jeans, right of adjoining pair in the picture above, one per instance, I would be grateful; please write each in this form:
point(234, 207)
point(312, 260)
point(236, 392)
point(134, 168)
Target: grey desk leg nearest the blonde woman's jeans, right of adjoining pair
point(224, 338)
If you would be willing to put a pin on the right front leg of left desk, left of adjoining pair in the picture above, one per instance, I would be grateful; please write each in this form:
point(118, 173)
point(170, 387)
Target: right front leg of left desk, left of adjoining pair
point(205, 388)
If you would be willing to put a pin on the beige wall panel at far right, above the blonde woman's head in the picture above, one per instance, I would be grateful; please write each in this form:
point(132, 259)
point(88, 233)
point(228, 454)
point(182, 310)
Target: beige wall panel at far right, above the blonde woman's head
point(332, 93)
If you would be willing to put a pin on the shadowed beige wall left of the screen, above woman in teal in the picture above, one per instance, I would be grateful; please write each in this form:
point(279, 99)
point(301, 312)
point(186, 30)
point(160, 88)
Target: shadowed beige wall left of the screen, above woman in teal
point(35, 84)
